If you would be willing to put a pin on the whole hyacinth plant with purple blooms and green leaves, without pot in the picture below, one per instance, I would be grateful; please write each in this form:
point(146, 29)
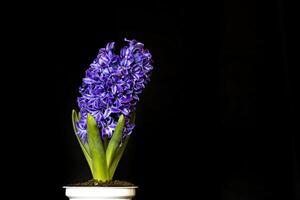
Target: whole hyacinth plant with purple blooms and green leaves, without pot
point(109, 95)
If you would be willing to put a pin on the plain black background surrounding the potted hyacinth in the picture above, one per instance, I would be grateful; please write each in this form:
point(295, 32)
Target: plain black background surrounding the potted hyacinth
point(217, 121)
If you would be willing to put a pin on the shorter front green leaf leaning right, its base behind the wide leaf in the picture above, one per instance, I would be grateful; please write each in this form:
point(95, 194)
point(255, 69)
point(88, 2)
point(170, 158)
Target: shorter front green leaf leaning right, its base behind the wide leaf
point(115, 140)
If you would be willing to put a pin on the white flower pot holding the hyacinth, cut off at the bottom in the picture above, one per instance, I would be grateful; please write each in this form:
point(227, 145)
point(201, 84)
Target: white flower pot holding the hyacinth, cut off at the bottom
point(103, 193)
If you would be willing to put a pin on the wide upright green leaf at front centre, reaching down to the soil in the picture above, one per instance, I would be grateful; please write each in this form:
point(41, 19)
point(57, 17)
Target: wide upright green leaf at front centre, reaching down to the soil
point(97, 152)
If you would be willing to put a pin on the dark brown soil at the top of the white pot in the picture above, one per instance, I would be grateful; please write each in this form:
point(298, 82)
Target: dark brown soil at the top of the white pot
point(96, 183)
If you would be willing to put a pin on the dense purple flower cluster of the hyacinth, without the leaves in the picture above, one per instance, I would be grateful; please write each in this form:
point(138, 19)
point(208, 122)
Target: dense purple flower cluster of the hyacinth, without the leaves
point(111, 87)
